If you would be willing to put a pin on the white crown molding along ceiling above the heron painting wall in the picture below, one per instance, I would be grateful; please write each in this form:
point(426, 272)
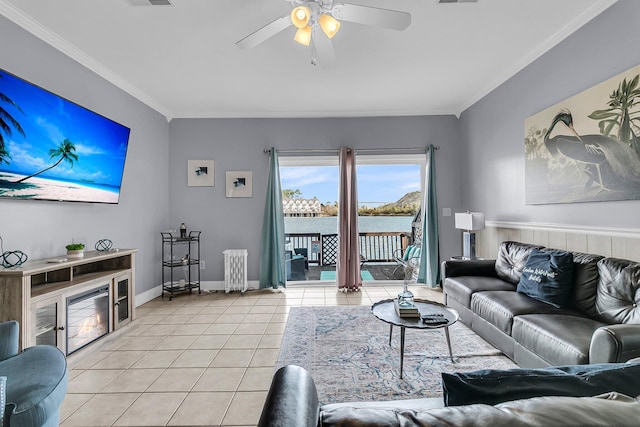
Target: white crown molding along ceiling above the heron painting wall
point(540, 50)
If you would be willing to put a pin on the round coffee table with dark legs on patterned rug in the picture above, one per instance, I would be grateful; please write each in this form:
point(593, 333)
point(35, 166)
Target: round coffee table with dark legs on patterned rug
point(386, 311)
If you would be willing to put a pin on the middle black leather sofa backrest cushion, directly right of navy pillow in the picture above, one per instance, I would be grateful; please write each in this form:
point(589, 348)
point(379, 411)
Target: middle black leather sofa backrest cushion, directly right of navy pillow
point(585, 282)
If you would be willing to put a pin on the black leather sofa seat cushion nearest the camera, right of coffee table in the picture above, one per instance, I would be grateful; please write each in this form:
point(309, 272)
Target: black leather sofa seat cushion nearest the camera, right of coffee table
point(557, 338)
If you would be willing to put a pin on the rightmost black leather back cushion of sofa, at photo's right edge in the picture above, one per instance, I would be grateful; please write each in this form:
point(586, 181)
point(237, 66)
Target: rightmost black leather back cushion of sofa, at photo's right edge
point(618, 292)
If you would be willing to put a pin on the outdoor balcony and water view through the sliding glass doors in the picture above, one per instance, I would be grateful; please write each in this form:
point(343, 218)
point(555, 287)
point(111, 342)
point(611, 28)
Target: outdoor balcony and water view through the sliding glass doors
point(388, 198)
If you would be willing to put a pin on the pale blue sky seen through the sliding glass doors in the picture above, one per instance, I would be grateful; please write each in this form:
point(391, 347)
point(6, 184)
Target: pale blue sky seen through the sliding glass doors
point(377, 184)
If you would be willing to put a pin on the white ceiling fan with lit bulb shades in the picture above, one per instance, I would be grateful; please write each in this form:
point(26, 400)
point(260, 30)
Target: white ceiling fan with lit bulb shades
point(318, 21)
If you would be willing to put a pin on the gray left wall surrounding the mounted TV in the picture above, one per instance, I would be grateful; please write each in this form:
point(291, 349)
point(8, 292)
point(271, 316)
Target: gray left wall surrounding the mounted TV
point(42, 229)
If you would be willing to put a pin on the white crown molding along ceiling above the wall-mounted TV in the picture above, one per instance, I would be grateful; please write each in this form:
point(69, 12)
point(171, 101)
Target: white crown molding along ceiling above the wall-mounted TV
point(18, 17)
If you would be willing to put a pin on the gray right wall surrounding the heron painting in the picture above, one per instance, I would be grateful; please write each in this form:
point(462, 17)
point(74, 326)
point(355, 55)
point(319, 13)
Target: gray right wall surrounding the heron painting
point(493, 128)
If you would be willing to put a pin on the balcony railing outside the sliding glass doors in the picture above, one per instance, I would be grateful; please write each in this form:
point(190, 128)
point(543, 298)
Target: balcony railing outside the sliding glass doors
point(322, 249)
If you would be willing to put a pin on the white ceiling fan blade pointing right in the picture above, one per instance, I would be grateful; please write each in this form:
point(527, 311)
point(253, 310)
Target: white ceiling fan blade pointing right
point(392, 19)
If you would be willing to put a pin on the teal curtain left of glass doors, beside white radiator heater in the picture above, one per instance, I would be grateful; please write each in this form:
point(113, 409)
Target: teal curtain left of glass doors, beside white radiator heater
point(272, 267)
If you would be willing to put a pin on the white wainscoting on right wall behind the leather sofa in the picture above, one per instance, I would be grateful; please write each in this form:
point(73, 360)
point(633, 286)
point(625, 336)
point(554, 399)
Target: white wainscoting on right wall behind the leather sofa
point(609, 242)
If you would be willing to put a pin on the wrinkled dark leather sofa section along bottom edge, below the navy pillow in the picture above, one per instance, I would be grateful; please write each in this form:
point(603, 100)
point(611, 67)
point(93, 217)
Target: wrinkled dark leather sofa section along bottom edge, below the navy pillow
point(607, 409)
